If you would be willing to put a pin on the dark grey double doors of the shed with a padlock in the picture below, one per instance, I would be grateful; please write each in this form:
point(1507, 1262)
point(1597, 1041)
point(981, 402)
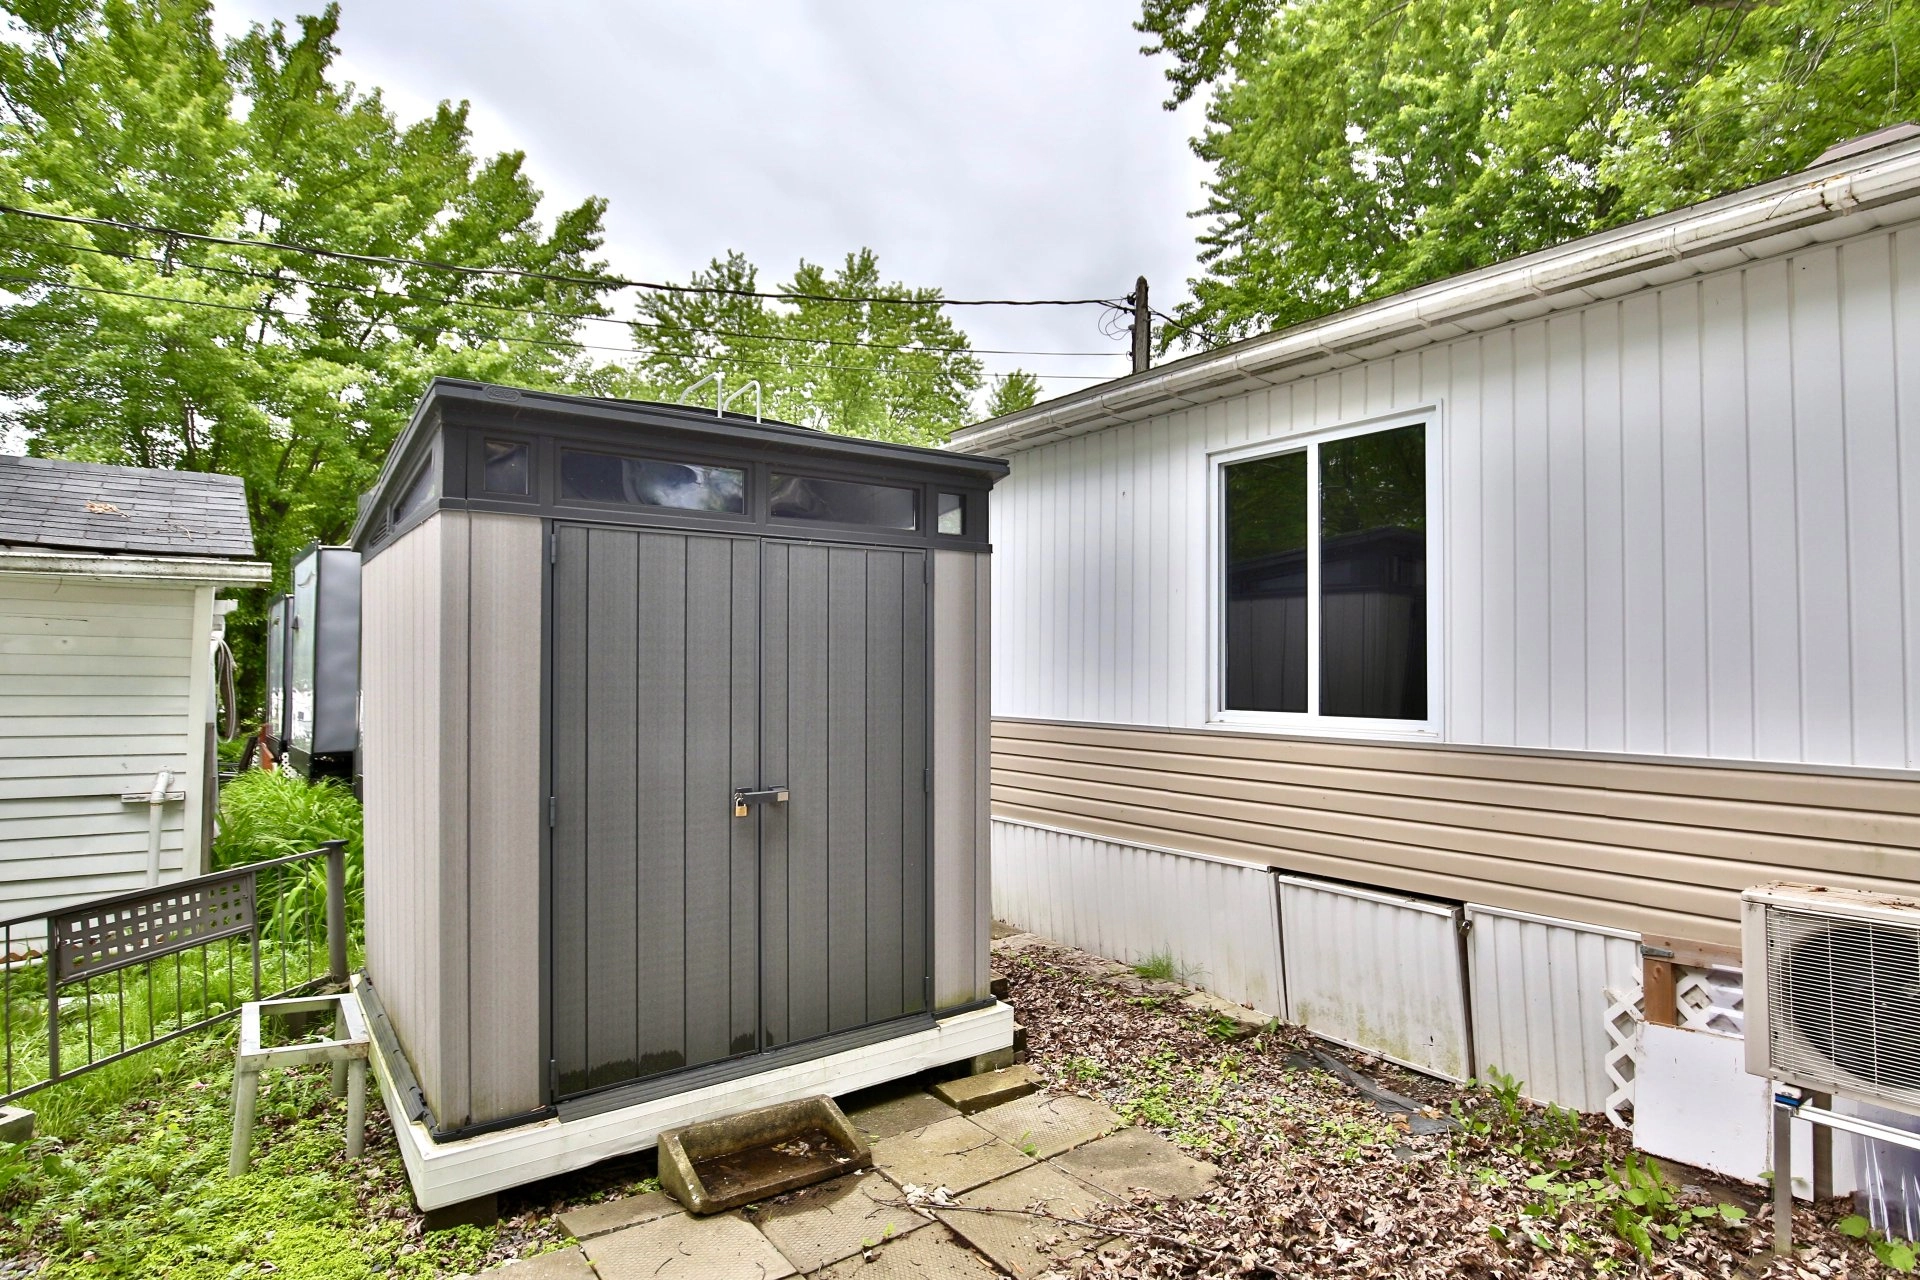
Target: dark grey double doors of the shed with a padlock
point(688, 667)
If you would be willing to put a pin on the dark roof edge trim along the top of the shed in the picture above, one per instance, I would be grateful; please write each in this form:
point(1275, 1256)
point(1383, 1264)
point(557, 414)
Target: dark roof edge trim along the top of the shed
point(452, 402)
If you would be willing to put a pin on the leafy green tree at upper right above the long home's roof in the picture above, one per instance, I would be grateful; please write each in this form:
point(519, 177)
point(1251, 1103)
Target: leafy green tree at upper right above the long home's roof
point(1368, 147)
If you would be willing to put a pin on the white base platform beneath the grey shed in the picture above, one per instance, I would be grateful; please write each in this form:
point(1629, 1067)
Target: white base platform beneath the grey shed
point(450, 1173)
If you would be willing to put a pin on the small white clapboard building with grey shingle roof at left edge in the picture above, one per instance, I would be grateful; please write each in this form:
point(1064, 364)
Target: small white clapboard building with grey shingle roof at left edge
point(108, 630)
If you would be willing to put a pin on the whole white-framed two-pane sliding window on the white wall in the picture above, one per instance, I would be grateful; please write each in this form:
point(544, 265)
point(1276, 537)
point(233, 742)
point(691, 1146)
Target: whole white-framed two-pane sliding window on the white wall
point(1326, 588)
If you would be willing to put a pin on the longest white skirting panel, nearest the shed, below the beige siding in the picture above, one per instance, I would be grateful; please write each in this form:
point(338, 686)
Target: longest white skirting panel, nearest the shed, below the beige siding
point(1218, 920)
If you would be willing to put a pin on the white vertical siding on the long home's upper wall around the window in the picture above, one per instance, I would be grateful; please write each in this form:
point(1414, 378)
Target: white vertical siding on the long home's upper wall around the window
point(1677, 523)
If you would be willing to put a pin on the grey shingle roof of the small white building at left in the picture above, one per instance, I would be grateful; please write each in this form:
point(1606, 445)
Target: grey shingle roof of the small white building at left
point(93, 508)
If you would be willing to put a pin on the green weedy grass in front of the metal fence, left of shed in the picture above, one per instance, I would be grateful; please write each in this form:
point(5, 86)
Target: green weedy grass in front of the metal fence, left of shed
point(133, 1181)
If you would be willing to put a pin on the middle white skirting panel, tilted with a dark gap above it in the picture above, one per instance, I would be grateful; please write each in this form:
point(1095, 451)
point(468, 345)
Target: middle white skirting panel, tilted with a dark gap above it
point(1378, 972)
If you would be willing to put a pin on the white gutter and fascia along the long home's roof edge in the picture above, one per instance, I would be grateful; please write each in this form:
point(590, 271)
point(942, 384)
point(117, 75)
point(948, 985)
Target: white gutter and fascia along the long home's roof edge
point(1752, 225)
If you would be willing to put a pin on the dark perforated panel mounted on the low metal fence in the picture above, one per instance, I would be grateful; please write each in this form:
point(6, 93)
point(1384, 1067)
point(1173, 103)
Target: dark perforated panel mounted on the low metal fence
point(116, 934)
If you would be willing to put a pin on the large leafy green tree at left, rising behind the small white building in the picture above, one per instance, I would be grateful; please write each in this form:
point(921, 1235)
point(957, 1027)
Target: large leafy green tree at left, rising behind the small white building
point(285, 369)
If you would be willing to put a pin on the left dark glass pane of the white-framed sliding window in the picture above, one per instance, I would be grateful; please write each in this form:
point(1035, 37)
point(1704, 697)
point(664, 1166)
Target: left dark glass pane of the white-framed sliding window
point(1268, 584)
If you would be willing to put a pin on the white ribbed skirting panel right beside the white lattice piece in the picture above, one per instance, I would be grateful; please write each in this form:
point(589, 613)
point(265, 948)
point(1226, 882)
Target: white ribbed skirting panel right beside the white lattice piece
point(1541, 1001)
